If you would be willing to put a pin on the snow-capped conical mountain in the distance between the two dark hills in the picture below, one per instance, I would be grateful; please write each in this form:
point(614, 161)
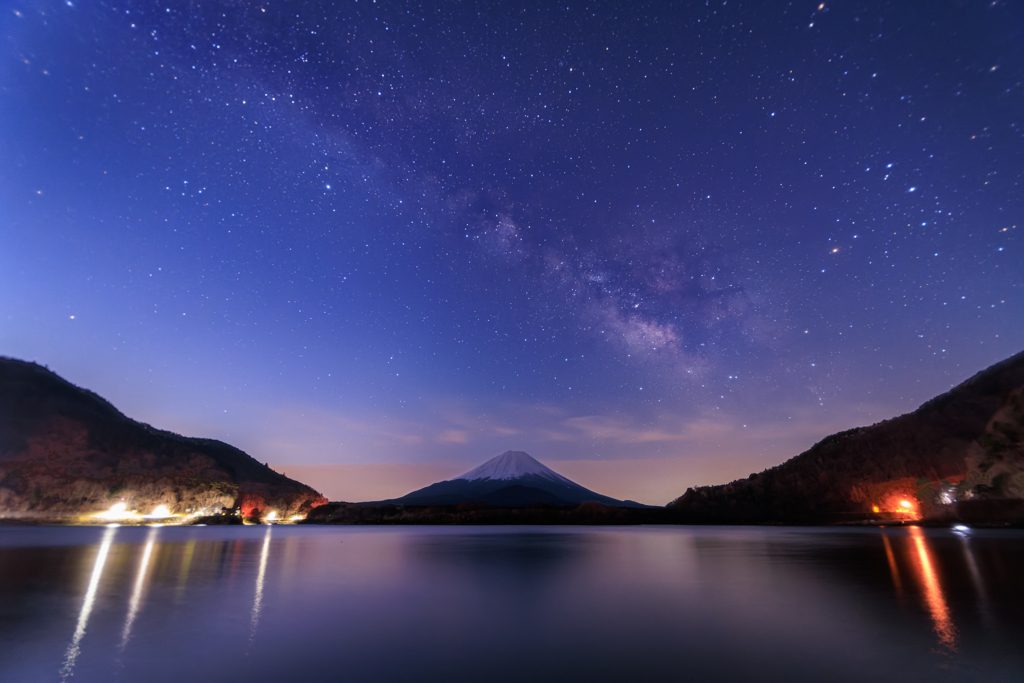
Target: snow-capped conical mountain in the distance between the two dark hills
point(511, 480)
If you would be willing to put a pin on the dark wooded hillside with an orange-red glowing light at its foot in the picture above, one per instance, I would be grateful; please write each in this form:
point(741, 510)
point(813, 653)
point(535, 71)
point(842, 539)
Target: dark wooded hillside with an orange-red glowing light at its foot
point(960, 456)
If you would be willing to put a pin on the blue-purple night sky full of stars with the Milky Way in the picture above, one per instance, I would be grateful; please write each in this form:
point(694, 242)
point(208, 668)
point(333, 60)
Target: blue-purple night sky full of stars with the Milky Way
point(656, 245)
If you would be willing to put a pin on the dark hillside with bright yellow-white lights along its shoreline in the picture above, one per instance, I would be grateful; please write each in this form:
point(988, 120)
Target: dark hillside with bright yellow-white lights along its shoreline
point(66, 452)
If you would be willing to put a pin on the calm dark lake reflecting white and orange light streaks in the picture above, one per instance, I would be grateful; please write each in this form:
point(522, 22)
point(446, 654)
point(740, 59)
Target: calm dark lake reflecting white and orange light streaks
point(291, 604)
